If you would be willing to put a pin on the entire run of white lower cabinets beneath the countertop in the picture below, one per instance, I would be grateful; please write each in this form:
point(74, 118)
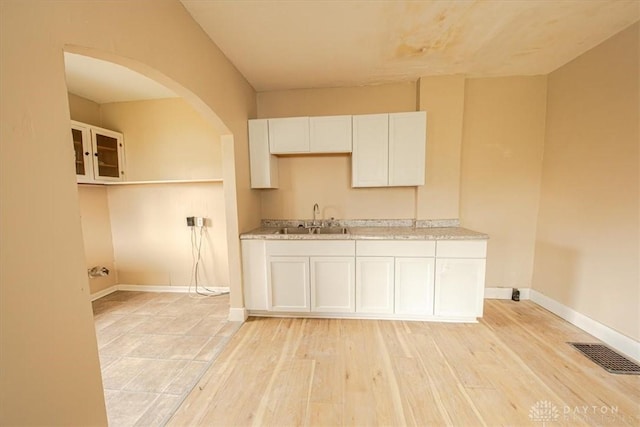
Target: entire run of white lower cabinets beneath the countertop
point(409, 279)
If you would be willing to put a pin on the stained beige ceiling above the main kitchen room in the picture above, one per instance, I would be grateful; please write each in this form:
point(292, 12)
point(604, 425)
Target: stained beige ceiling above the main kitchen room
point(287, 44)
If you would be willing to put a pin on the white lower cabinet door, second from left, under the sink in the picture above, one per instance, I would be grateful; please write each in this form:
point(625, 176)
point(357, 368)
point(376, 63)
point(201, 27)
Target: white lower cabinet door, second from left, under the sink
point(332, 284)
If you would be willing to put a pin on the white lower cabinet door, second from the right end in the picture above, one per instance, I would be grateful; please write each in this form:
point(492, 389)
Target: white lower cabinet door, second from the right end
point(414, 279)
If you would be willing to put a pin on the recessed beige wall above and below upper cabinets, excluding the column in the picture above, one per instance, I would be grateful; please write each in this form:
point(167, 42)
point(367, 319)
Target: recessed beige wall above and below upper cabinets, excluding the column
point(326, 180)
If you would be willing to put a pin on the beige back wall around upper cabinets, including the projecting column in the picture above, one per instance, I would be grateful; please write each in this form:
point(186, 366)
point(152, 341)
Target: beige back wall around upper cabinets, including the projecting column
point(304, 179)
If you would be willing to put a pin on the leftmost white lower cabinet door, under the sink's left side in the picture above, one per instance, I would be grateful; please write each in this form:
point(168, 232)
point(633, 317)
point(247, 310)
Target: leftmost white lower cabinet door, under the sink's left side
point(288, 280)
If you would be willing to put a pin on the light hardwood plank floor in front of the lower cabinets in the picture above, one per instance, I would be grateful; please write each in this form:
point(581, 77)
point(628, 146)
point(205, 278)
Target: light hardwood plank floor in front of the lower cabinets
point(512, 368)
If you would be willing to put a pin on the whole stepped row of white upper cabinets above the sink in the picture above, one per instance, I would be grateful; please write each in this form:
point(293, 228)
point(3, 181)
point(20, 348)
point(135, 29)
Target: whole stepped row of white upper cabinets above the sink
point(388, 149)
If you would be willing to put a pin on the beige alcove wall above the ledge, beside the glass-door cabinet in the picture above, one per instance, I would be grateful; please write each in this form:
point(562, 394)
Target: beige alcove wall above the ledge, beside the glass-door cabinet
point(165, 139)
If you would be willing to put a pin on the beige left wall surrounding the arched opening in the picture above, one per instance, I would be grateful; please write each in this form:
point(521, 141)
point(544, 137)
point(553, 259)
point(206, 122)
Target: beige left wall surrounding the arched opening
point(49, 362)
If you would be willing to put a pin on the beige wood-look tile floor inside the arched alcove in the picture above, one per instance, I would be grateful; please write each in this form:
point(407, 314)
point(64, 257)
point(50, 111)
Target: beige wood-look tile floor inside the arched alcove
point(153, 348)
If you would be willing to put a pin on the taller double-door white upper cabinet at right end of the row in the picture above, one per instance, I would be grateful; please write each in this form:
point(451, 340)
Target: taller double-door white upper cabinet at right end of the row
point(389, 149)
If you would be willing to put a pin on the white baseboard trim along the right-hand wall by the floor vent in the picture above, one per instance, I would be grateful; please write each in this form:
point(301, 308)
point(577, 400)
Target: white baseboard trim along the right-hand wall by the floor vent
point(615, 339)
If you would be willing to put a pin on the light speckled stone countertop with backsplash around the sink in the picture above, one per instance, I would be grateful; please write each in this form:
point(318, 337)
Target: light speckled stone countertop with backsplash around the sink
point(269, 231)
